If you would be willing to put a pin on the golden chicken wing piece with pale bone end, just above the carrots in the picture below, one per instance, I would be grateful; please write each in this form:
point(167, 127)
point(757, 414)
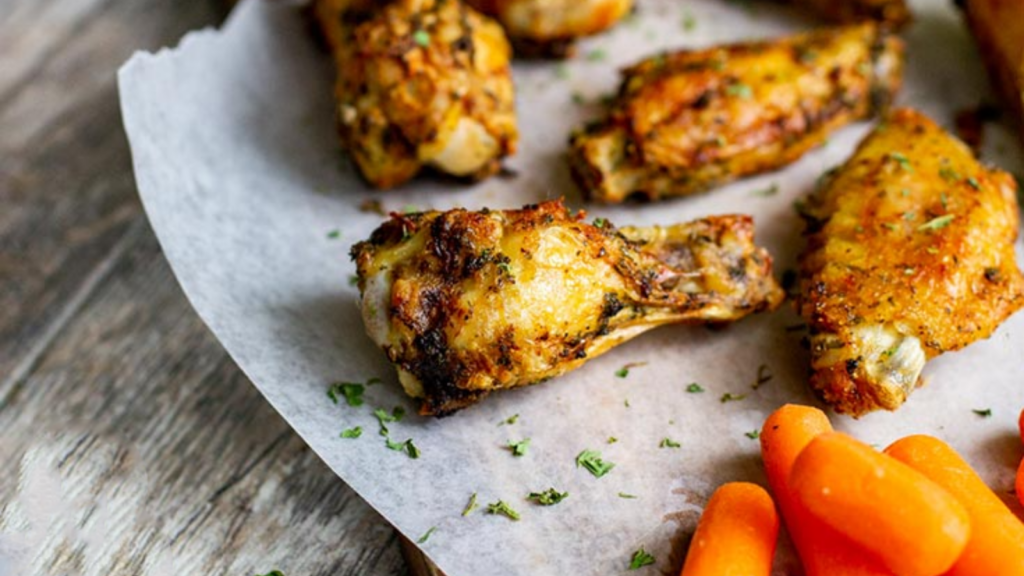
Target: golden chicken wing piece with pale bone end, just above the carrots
point(910, 255)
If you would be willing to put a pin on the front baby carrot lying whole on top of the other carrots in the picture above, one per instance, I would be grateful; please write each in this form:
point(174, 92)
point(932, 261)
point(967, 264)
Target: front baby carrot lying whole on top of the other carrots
point(916, 527)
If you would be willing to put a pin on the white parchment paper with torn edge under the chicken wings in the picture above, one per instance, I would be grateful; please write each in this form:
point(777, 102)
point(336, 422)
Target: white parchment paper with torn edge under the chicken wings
point(243, 180)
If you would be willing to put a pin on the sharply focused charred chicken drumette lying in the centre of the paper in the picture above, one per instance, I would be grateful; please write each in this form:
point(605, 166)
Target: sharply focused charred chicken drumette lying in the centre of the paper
point(468, 303)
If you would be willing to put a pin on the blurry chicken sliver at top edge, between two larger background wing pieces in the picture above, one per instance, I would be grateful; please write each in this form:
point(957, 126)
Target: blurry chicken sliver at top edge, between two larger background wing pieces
point(549, 28)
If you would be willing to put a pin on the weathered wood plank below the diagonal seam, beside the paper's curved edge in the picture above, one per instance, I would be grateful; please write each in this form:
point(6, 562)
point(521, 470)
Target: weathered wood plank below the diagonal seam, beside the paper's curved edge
point(142, 449)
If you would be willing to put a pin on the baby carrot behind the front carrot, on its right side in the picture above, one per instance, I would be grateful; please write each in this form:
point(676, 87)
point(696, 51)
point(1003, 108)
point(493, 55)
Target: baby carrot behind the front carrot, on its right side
point(997, 544)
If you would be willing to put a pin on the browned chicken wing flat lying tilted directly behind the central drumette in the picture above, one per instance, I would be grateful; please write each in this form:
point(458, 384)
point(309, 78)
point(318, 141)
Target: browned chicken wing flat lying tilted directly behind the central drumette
point(685, 122)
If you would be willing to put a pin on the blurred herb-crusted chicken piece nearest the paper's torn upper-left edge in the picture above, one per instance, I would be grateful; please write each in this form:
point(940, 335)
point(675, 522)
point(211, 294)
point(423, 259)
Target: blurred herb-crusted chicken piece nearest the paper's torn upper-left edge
point(420, 84)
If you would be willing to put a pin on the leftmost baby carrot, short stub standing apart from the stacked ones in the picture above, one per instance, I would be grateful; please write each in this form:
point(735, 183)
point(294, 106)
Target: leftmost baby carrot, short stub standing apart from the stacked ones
point(737, 534)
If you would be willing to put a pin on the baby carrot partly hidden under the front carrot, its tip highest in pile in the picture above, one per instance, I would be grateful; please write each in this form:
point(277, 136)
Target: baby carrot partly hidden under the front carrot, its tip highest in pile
point(823, 551)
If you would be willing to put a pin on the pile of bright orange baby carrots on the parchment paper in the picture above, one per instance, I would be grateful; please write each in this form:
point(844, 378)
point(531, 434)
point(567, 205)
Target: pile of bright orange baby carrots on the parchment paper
point(917, 509)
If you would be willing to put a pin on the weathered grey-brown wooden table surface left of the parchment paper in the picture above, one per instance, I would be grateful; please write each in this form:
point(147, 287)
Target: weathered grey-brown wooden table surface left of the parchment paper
point(132, 442)
